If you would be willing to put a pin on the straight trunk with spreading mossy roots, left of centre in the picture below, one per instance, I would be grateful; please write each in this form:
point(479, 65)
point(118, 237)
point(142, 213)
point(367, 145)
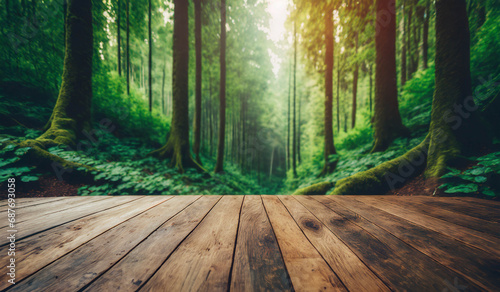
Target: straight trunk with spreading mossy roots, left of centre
point(177, 147)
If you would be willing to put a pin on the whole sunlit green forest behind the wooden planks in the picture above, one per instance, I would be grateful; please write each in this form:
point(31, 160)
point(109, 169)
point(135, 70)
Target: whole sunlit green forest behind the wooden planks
point(176, 97)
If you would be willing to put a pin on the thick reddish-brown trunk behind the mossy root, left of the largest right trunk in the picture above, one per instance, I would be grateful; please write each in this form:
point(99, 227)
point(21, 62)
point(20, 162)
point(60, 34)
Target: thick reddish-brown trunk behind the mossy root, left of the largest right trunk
point(386, 120)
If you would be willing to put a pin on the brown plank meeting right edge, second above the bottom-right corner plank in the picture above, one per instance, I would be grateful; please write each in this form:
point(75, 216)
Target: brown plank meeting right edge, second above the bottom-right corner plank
point(418, 204)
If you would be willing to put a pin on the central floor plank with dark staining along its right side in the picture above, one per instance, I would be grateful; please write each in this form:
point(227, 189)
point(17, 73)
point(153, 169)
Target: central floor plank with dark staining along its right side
point(257, 264)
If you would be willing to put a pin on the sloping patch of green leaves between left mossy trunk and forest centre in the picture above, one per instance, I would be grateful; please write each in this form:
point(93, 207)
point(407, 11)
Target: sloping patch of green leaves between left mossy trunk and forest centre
point(123, 168)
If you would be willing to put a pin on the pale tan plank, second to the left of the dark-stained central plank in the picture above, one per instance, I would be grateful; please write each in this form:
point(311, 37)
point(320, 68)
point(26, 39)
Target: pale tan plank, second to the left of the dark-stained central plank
point(139, 265)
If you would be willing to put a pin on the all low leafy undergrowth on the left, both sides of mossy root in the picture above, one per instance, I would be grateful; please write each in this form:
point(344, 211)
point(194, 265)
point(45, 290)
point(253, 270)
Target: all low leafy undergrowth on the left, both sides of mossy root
point(123, 168)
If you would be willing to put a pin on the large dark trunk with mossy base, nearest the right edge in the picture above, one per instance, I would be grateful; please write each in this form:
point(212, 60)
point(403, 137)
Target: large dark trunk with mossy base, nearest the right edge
point(455, 128)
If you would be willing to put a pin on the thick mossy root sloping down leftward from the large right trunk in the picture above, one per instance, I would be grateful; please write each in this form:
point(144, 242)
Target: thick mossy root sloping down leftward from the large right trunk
point(379, 179)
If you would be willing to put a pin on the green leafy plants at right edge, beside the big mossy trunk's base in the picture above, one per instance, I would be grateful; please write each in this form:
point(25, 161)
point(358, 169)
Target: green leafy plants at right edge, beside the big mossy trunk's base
point(480, 179)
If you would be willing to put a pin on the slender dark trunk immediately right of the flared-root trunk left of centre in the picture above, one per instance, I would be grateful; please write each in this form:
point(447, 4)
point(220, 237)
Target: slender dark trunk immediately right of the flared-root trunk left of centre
point(197, 115)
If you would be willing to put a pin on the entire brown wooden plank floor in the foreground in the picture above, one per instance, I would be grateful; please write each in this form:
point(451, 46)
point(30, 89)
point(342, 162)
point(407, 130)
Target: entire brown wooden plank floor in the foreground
point(255, 243)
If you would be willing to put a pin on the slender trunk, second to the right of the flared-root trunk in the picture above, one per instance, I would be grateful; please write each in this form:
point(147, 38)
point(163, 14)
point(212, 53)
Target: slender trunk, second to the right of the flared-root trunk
point(219, 164)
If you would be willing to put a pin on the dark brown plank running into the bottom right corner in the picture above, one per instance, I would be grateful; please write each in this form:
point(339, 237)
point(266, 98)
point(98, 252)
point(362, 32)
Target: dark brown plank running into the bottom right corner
point(475, 265)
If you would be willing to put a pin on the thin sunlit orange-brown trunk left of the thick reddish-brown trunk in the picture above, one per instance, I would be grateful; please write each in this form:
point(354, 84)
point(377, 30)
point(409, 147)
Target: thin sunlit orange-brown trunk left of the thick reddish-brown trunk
point(328, 122)
